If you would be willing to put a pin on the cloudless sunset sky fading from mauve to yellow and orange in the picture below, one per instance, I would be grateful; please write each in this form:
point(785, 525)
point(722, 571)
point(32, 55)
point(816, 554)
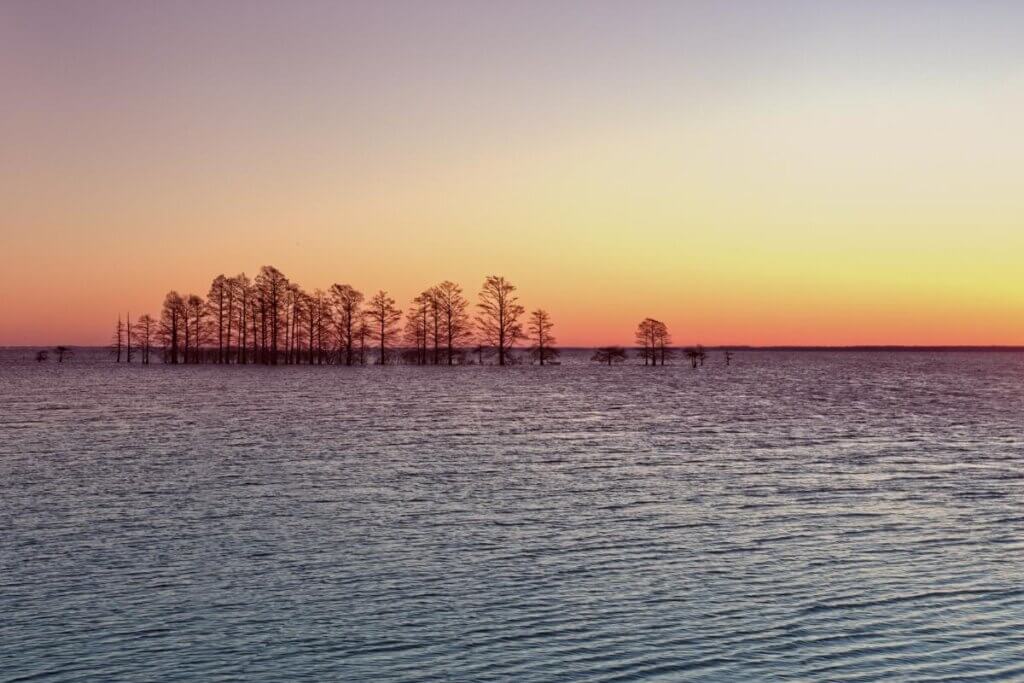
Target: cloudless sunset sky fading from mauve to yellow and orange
point(751, 173)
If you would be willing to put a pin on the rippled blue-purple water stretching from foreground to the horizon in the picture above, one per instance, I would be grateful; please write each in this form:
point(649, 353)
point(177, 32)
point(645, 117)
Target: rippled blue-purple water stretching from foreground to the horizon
point(796, 517)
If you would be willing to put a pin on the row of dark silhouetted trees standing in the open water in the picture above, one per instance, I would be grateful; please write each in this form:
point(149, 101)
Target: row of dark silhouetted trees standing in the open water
point(270, 320)
